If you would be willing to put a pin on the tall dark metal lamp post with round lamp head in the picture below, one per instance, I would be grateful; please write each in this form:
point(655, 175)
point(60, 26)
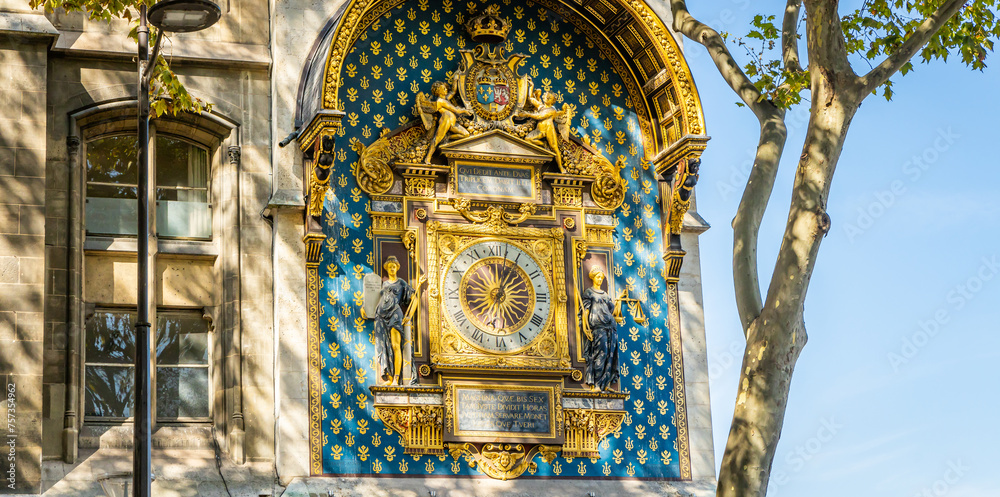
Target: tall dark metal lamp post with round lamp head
point(179, 16)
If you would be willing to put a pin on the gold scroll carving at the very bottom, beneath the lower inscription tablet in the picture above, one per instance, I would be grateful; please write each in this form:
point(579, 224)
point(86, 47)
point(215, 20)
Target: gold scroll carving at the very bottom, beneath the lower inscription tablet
point(503, 461)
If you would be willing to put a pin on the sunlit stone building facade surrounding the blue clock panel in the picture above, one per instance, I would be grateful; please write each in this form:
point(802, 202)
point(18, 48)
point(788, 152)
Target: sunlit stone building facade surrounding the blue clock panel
point(234, 403)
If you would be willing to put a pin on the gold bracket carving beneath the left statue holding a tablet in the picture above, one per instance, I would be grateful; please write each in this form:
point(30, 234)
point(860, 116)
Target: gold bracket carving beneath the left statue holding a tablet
point(420, 426)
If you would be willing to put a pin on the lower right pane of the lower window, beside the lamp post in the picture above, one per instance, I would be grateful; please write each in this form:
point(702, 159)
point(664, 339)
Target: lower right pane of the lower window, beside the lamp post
point(181, 392)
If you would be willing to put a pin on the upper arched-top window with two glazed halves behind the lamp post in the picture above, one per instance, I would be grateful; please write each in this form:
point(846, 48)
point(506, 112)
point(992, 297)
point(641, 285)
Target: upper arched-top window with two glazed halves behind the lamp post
point(183, 208)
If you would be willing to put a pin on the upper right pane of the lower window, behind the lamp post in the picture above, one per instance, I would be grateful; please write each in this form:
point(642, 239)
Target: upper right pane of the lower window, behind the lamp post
point(181, 339)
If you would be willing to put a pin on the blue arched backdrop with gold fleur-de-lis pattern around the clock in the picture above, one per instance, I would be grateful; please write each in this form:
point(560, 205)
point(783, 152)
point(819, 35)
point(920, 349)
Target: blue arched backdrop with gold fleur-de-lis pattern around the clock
point(401, 53)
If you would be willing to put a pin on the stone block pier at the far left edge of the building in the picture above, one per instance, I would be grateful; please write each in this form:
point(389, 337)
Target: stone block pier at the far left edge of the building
point(23, 57)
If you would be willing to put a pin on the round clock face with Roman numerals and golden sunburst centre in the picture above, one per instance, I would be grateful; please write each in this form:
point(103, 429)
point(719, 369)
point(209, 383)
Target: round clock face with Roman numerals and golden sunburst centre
point(496, 296)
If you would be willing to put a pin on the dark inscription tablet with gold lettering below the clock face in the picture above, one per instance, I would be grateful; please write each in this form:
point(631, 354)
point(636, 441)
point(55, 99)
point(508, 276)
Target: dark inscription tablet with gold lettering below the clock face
point(498, 411)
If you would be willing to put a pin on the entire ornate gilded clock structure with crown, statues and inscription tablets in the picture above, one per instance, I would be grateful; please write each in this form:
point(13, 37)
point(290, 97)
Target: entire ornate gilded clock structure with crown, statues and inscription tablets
point(495, 318)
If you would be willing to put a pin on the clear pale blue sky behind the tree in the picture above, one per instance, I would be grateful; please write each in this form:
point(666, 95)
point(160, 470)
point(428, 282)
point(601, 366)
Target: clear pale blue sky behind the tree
point(898, 389)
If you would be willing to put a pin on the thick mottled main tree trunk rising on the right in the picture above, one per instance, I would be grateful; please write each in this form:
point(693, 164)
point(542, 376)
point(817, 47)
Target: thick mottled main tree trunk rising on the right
point(776, 337)
